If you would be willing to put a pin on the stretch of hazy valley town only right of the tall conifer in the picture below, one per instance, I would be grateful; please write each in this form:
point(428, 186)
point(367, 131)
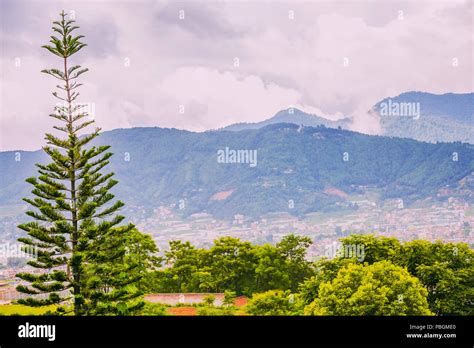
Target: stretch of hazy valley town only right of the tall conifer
point(450, 222)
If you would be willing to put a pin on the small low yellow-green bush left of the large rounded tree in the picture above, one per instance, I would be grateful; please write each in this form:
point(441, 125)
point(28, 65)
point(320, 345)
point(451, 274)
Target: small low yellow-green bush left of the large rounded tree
point(272, 302)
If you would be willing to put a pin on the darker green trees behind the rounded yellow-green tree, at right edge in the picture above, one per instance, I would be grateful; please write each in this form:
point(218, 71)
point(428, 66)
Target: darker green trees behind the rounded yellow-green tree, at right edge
point(445, 269)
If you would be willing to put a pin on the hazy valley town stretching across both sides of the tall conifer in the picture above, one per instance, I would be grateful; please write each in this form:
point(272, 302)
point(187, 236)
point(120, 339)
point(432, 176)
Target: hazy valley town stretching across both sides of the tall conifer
point(449, 218)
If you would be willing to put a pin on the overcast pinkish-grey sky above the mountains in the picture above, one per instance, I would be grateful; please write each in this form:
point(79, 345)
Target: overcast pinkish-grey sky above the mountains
point(231, 61)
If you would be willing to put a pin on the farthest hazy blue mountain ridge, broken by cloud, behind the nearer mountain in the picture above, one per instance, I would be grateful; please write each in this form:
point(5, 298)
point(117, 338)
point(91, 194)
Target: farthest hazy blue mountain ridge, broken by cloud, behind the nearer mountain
point(442, 118)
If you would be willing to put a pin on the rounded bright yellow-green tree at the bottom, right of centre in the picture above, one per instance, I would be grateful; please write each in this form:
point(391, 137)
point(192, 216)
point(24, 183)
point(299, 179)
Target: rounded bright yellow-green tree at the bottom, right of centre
point(378, 289)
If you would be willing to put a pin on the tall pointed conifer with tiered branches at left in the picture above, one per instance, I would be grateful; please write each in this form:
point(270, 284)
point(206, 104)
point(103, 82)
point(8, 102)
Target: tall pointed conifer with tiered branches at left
point(73, 211)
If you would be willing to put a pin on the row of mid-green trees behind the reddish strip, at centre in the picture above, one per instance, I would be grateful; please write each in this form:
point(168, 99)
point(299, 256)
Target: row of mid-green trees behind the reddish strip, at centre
point(233, 265)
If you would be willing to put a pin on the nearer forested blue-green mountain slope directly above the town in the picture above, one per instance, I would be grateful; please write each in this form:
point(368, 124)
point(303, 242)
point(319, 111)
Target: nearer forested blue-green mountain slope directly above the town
point(167, 166)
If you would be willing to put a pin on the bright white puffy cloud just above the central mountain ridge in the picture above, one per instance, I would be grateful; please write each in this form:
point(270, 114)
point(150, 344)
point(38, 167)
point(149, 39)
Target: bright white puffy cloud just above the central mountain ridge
point(212, 99)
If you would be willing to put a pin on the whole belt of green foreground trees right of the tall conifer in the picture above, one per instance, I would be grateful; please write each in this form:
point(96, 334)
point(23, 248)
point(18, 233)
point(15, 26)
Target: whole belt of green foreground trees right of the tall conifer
point(393, 278)
